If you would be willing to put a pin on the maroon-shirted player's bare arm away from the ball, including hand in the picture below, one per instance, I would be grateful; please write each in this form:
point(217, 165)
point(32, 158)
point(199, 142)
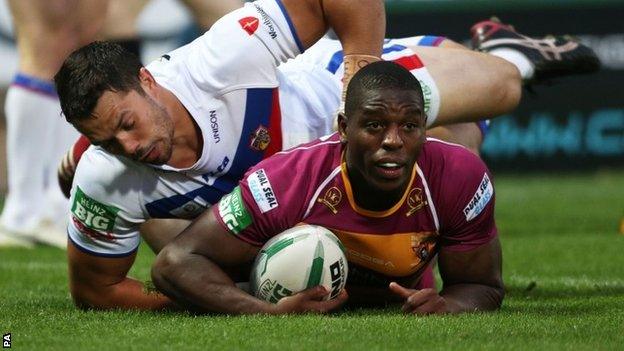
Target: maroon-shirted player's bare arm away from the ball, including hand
point(472, 282)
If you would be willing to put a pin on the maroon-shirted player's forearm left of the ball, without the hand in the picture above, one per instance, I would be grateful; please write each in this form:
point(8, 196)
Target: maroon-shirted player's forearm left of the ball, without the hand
point(197, 283)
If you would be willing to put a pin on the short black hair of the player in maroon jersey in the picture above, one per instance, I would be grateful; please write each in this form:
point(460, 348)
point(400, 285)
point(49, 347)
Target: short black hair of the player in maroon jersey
point(379, 75)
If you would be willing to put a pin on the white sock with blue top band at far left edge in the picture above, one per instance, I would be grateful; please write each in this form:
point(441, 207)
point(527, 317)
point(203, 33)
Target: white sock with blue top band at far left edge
point(31, 106)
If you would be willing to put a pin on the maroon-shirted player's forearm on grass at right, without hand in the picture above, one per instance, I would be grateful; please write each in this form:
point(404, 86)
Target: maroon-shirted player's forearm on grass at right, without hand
point(472, 297)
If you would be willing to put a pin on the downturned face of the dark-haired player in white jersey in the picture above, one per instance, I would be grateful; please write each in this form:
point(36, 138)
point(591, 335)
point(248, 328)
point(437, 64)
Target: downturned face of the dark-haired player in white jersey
point(130, 124)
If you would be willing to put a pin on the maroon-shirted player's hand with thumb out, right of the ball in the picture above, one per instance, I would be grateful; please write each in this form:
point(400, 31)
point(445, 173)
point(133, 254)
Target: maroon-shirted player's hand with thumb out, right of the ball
point(421, 302)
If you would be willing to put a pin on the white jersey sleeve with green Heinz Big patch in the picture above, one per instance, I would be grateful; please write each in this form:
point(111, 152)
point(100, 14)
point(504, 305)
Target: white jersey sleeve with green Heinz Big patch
point(105, 211)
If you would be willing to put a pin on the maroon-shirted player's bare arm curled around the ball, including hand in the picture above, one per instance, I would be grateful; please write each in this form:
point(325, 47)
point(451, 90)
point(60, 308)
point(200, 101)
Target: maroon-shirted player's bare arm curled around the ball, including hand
point(190, 270)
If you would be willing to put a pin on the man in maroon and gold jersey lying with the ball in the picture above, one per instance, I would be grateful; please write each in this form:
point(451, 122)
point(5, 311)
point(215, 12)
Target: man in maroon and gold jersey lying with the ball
point(382, 187)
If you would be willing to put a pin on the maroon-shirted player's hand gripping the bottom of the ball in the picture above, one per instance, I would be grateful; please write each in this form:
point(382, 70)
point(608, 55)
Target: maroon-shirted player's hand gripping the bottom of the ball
point(311, 300)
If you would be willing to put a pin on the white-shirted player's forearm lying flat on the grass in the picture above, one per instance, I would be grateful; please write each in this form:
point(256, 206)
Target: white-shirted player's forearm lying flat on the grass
point(127, 294)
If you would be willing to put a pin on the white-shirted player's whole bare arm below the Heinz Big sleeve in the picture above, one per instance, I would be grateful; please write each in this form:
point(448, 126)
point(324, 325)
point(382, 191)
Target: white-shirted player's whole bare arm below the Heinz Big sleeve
point(101, 283)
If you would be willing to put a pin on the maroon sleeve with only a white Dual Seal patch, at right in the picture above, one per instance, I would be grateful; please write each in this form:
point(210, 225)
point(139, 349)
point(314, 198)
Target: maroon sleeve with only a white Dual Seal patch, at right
point(466, 202)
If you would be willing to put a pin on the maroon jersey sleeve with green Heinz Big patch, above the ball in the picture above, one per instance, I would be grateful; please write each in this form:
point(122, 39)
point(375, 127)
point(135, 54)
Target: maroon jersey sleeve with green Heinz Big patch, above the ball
point(270, 199)
